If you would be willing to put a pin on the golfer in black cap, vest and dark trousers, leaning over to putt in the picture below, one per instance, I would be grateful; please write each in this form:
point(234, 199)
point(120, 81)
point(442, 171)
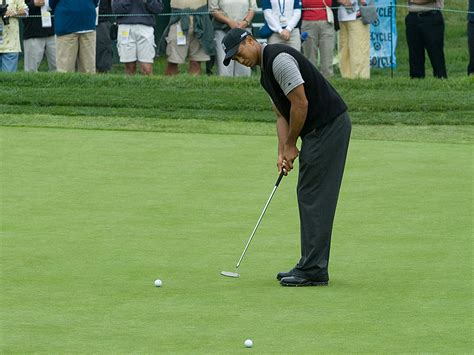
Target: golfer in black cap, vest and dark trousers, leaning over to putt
point(306, 106)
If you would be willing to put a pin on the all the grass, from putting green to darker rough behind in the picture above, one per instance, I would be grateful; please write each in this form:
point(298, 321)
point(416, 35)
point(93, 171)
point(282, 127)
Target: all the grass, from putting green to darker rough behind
point(108, 182)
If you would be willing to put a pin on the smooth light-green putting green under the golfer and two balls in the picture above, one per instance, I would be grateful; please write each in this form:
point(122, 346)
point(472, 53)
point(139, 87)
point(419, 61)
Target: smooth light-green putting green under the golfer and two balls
point(90, 218)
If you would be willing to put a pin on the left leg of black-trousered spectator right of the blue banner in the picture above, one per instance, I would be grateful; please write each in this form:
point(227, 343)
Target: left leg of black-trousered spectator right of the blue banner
point(416, 49)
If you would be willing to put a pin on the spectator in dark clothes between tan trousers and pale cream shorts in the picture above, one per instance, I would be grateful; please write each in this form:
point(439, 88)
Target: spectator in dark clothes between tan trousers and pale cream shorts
point(103, 48)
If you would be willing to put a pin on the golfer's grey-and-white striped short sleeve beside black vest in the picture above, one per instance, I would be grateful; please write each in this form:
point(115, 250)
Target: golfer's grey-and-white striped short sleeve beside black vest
point(287, 72)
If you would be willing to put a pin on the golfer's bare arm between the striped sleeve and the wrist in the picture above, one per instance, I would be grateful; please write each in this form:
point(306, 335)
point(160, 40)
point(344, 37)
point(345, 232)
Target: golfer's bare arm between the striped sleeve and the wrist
point(298, 112)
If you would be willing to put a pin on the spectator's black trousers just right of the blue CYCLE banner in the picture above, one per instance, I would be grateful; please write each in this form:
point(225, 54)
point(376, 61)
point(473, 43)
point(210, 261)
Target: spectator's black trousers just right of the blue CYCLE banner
point(425, 30)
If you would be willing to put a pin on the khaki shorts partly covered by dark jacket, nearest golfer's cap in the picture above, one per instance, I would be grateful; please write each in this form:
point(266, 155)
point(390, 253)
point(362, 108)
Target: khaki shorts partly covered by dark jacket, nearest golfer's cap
point(191, 50)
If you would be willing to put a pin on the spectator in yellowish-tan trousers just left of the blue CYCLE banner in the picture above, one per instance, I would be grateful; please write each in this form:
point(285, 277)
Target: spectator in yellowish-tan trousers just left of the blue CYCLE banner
point(354, 41)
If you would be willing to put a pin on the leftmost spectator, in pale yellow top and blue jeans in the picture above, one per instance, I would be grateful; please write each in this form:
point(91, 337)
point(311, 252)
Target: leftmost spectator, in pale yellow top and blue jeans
point(10, 34)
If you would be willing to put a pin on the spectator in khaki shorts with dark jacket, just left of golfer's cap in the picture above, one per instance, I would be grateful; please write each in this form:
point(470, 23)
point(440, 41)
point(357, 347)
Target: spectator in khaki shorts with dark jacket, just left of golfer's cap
point(189, 35)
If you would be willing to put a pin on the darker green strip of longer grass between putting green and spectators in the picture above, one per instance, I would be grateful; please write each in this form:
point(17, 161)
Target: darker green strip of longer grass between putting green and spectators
point(378, 101)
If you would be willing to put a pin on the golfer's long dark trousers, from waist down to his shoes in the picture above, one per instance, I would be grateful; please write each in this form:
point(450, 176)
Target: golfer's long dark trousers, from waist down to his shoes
point(321, 166)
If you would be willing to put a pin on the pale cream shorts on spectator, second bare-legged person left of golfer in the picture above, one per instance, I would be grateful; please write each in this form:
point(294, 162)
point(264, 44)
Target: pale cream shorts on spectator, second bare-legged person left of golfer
point(136, 42)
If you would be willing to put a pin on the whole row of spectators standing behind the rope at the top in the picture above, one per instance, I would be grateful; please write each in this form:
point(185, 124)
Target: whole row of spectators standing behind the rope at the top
point(78, 35)
